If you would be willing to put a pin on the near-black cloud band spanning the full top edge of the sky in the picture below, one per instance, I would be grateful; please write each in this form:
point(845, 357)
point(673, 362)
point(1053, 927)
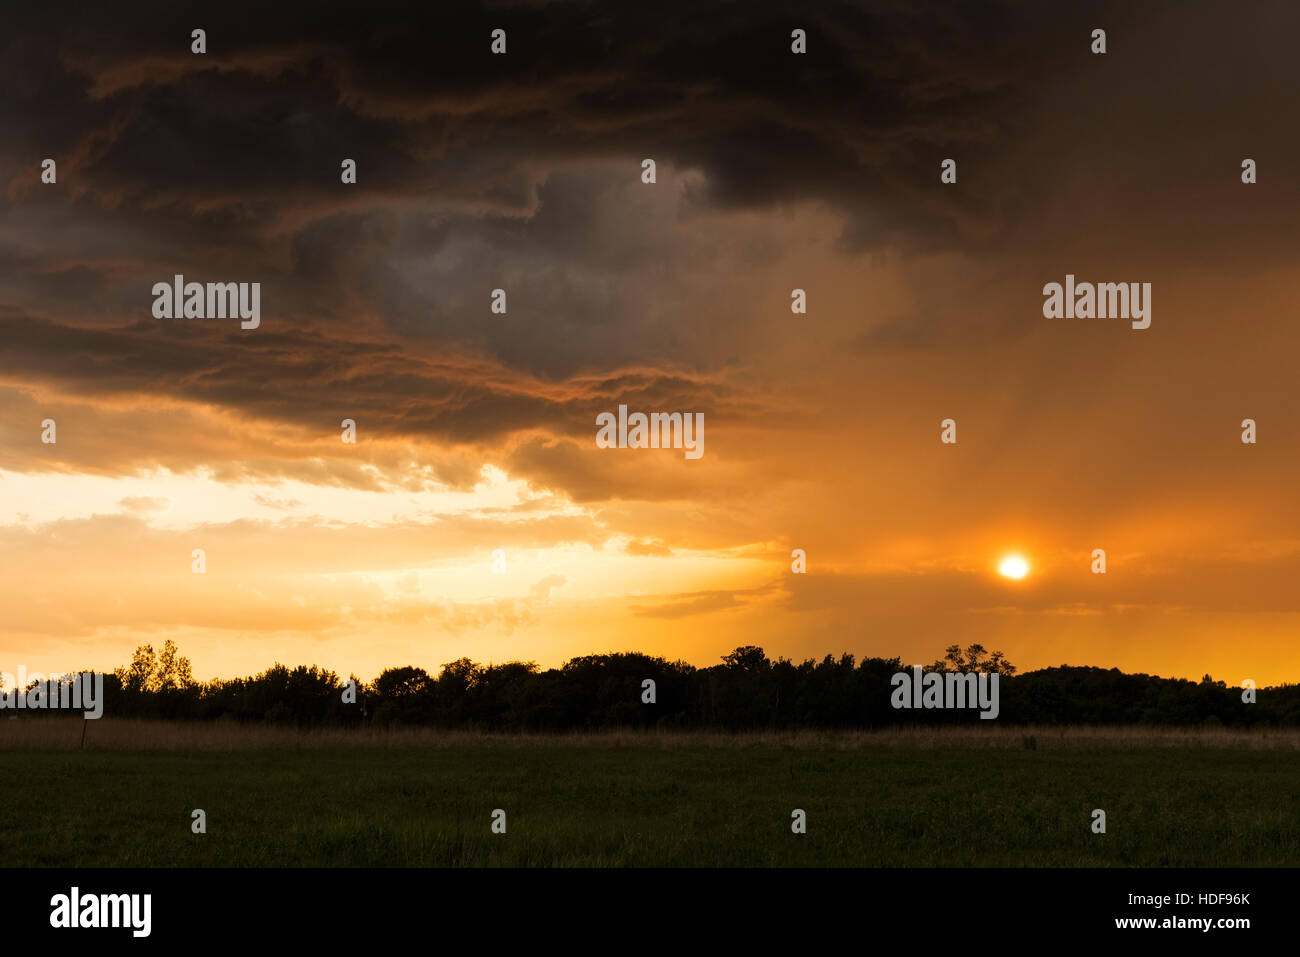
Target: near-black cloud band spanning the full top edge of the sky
point(242, 136)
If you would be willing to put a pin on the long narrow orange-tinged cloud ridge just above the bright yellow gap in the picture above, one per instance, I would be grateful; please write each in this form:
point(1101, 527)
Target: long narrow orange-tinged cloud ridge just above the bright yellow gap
point(310, 380)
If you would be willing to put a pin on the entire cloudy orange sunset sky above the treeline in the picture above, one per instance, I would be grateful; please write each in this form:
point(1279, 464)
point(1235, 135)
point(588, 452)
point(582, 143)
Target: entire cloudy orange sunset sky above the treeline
point(475, 514)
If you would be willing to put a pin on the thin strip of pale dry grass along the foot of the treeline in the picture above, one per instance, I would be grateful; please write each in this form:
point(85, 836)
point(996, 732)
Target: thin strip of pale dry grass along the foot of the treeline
point(109, 734)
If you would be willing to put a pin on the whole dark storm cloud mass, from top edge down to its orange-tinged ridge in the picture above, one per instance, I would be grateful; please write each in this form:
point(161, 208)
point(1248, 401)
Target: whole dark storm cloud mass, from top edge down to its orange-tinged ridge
point(479, 172)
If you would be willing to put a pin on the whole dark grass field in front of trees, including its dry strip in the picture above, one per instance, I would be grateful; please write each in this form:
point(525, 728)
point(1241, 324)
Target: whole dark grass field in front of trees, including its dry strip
point(426, 799)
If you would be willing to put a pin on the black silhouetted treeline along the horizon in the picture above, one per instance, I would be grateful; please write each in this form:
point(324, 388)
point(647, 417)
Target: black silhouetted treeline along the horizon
point(747, 691)
